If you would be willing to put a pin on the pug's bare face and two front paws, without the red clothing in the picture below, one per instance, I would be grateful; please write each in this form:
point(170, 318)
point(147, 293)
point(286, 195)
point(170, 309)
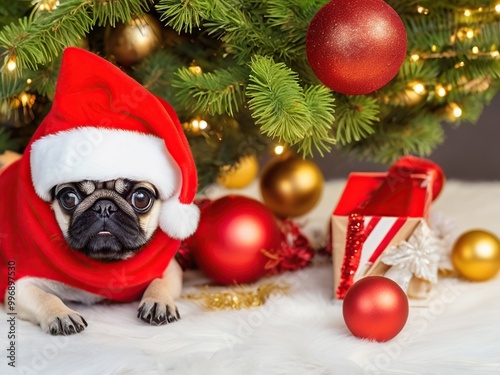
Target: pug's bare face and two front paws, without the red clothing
point(108, 221)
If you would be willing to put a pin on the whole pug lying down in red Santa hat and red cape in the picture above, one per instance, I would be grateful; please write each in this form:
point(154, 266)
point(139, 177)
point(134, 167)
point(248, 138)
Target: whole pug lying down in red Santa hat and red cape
point(96, 206)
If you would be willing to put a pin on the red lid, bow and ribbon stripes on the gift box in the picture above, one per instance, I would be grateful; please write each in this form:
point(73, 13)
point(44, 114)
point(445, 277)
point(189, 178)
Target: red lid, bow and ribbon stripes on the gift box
point(391, 197)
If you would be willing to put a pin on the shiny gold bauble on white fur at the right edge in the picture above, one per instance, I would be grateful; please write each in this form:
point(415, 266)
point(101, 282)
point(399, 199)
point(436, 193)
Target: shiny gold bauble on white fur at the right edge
point(476, 255)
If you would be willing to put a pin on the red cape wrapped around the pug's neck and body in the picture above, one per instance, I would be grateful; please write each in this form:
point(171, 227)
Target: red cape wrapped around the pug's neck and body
point(31, 237)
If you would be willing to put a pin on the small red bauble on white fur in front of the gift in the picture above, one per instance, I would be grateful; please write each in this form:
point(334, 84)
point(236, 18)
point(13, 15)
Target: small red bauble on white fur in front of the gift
point(375, 308)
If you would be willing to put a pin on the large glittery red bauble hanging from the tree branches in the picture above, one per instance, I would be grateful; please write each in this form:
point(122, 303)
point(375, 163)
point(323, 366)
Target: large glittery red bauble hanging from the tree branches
point(356, 46)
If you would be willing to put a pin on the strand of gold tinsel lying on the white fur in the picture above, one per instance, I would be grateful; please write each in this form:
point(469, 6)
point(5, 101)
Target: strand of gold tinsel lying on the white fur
point(236, 298)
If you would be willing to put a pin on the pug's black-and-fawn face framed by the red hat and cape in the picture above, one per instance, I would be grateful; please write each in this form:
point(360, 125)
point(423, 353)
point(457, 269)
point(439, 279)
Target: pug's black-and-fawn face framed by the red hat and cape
point(109, 220)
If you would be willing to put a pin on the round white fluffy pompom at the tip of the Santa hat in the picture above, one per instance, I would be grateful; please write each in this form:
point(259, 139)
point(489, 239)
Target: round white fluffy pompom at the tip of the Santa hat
point(179, 220)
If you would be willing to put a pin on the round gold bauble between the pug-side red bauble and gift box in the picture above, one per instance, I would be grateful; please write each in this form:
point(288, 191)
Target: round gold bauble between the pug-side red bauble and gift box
point(291, 186)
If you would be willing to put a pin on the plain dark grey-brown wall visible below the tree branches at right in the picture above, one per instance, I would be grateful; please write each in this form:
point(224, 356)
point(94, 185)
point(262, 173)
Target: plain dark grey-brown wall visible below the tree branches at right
point(470, 151)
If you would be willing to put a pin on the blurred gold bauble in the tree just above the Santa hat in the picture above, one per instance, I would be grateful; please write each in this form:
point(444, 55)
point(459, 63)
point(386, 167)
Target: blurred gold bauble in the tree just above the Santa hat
point(131, 42)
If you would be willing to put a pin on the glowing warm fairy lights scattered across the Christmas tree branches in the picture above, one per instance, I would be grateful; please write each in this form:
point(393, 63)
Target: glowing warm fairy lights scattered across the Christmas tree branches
point(415, 92)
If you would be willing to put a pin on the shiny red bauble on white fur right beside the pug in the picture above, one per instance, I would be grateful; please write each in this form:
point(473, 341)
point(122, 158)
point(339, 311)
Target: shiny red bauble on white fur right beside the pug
point(228, 243)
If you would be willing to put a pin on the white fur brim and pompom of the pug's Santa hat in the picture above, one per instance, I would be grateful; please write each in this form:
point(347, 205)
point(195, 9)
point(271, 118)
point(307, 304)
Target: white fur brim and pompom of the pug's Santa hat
point(92, 153)
